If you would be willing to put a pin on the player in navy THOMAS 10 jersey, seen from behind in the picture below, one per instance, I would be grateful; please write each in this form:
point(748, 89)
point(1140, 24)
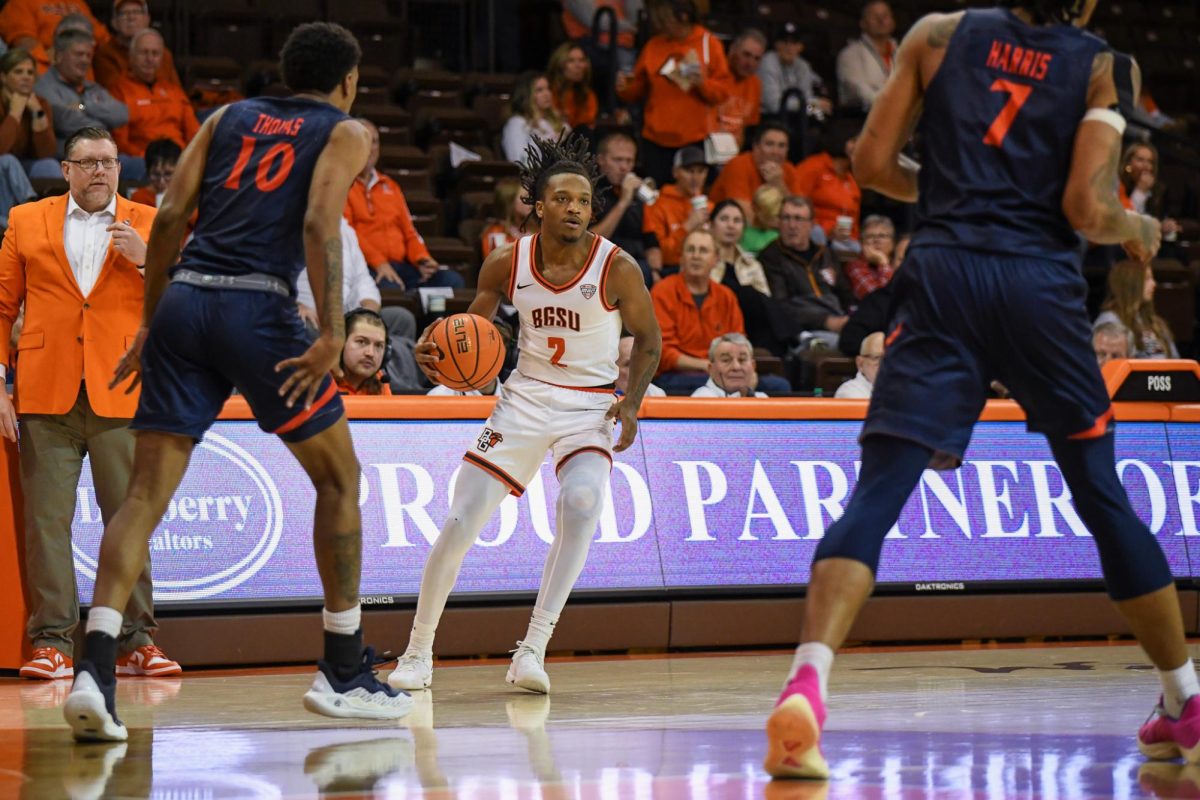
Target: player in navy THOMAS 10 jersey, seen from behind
point(271, 177)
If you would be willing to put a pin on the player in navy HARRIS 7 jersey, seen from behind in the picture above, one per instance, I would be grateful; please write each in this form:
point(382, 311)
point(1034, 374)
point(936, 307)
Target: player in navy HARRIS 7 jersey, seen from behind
point(1021, 131)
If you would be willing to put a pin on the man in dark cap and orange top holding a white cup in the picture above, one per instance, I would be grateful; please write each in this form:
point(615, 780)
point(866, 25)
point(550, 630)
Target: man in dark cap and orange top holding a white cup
point(681, 209)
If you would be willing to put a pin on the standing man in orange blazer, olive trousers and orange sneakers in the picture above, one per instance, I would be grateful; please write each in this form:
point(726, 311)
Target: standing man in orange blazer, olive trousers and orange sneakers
point(75, 263)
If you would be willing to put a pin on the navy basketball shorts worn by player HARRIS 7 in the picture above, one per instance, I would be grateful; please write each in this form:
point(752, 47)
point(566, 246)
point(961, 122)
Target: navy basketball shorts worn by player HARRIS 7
point(964, 318)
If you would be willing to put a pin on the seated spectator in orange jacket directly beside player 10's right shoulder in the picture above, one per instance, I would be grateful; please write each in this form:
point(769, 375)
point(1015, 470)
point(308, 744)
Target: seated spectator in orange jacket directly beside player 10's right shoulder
point(394, 250)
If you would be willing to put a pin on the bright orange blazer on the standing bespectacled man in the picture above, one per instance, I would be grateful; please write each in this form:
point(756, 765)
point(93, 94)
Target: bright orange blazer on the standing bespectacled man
point(68, 338)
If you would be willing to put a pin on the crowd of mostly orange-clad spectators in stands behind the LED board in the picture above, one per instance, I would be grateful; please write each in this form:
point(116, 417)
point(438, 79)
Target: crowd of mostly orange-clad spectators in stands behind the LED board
point(724, 164)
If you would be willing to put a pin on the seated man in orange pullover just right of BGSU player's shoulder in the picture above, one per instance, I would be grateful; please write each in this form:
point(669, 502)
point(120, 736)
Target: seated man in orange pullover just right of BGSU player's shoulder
point(693, 310)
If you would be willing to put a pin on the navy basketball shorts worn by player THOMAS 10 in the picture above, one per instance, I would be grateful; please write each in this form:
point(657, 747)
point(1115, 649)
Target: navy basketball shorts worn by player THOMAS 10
point(206, 342)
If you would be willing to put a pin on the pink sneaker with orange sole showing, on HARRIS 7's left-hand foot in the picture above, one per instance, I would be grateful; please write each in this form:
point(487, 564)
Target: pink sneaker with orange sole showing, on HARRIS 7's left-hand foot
point(794, 730)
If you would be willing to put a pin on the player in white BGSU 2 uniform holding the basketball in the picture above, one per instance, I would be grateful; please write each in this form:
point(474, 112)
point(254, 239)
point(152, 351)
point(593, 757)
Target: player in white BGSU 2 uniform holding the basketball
point(575, 291)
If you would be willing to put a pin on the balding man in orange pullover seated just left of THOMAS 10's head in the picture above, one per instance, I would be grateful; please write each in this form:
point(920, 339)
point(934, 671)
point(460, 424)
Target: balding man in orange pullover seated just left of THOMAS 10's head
point(158, 110)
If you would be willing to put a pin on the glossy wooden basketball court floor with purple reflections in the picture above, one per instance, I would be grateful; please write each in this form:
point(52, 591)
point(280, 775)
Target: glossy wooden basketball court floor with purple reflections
point(997, 723)
